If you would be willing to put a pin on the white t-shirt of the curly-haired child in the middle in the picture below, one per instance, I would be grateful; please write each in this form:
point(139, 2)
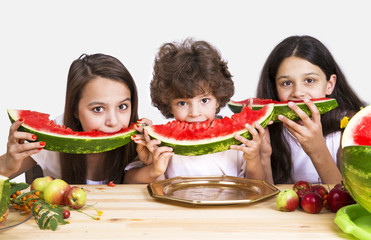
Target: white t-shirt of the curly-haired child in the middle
point(230, 162)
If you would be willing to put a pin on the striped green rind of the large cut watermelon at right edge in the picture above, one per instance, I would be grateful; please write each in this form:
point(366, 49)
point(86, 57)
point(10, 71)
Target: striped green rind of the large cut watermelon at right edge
point(355, 168)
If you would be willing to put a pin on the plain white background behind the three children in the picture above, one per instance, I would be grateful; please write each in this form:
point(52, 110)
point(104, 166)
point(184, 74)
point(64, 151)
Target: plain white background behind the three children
point(40, 39)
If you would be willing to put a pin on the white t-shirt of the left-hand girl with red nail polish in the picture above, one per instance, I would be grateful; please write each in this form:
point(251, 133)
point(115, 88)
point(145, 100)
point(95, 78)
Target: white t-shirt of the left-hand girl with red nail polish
point(49, 161)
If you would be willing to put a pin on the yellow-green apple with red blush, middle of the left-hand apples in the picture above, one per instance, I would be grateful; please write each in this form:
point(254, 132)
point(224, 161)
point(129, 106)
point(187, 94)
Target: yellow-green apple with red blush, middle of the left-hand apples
point(54, 192)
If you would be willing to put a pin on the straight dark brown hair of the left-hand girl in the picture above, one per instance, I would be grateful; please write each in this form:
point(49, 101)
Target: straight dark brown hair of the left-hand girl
point(83, 70)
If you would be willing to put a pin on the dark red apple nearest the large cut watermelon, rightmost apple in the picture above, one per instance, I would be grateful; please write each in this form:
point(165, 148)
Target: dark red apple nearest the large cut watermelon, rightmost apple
point(338, 197)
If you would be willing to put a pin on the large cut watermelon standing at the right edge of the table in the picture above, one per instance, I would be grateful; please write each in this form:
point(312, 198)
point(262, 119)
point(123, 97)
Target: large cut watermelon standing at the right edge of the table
point(356, 157)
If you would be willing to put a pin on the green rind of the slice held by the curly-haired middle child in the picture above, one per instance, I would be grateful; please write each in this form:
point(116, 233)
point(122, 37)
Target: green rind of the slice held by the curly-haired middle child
point(210, 145)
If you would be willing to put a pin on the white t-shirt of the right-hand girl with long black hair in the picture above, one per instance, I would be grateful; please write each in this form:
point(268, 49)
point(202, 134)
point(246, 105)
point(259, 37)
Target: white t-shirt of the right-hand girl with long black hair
point(303, 168)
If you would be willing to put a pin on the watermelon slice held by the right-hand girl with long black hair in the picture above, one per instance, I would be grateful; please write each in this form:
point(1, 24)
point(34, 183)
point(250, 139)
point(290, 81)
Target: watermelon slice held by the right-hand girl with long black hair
point(323, 105)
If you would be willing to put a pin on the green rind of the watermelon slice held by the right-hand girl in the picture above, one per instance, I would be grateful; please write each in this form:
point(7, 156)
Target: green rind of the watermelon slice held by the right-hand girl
point(323, 105)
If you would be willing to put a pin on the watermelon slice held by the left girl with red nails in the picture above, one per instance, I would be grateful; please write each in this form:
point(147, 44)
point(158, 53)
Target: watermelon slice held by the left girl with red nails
point(61, 139)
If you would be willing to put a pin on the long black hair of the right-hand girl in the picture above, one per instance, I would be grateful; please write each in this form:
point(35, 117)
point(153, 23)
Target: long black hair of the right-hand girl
point(312, 50)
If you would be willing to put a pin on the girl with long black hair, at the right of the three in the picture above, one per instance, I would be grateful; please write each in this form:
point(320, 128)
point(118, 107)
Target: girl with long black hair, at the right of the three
point(301, 67)
